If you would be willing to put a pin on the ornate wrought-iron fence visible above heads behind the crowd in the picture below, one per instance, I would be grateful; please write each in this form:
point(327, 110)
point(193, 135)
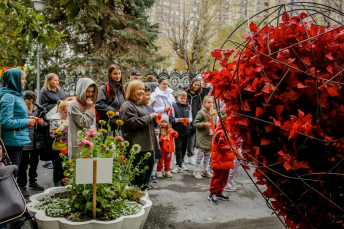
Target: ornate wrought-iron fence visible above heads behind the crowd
point(177, 79)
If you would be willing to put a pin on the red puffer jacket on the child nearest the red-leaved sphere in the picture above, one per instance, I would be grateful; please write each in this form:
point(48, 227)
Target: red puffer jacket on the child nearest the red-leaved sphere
point(222, 156)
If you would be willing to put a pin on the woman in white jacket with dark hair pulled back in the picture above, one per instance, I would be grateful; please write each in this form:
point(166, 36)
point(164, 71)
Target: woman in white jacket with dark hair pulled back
point(163, 96)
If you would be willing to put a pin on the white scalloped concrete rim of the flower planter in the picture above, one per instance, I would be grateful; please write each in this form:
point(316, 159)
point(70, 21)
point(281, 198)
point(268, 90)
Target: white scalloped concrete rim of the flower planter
point(40, 214)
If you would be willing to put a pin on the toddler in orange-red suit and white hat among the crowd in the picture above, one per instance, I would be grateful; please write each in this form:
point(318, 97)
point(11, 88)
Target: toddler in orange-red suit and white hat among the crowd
point(167, 147)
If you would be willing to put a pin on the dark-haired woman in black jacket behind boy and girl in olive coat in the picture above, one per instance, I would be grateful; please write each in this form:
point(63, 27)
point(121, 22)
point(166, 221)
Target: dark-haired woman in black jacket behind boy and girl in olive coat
point(195, 101)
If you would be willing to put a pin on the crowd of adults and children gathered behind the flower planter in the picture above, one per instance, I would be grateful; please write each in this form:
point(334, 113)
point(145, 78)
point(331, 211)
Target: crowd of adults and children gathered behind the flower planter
point(162, 121)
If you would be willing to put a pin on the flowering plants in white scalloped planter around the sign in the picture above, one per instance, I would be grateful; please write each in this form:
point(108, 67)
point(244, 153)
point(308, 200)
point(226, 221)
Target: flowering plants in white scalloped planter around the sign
point(119, 204)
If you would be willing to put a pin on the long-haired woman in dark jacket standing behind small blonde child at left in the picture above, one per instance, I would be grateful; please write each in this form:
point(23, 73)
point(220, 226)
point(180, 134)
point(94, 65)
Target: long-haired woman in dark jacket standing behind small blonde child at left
point(51, 93)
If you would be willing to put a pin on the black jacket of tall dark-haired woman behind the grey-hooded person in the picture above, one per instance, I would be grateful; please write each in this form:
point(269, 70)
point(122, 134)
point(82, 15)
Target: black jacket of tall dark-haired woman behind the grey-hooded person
point(105, 104)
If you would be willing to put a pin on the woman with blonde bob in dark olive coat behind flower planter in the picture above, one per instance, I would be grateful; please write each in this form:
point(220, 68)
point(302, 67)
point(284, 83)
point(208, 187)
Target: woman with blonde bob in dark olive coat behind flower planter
point(138, 127)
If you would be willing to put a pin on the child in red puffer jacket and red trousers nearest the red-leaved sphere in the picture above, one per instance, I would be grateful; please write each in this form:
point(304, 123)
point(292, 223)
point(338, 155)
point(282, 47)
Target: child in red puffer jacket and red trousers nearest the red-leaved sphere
point(222, 160)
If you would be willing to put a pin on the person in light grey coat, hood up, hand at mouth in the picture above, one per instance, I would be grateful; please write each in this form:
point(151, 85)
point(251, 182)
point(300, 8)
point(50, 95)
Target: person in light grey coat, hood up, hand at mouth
point(81, 113)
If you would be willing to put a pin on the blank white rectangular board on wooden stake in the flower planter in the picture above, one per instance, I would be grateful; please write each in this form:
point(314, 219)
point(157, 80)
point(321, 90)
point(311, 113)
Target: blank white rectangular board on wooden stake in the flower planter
point(84, 170)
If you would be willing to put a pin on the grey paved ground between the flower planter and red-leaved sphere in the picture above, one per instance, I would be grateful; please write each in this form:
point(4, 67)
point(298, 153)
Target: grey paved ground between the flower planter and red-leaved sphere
point(180, 203)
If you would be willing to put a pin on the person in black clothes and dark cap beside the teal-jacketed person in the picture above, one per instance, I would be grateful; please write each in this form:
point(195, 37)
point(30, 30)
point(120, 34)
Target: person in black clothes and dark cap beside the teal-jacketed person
point(33, 150)
